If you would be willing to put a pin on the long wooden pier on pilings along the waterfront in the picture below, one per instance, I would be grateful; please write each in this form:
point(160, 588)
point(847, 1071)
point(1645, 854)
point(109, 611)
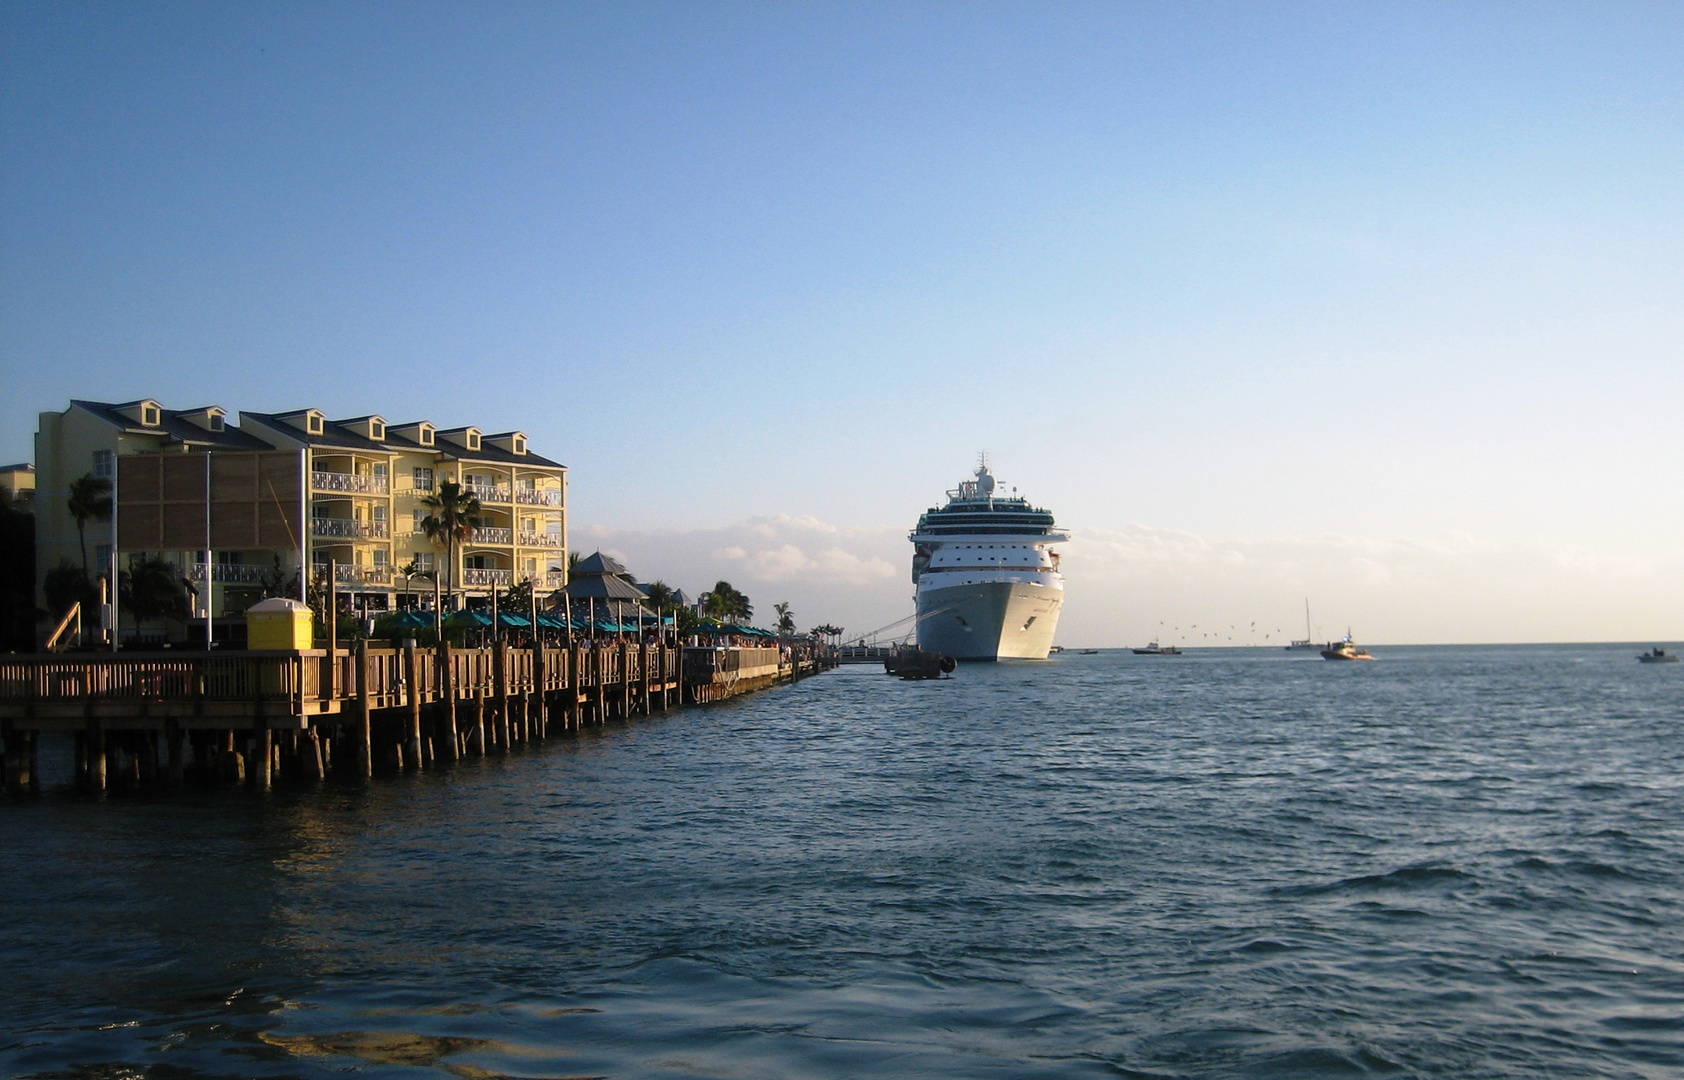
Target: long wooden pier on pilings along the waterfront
point(258, 717)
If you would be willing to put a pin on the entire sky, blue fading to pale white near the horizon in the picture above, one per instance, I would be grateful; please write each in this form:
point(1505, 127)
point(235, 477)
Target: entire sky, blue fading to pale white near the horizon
point(1394, 279)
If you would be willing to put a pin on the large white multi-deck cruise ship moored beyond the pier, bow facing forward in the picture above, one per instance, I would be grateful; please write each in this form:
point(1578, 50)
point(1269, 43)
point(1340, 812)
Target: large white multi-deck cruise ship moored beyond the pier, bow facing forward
point(989, 587)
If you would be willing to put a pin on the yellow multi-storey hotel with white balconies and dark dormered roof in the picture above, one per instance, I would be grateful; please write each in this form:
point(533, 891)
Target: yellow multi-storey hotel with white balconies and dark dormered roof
point(365, 486)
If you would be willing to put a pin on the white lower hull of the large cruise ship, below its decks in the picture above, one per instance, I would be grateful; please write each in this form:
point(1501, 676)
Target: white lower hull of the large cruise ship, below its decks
point(989, 621)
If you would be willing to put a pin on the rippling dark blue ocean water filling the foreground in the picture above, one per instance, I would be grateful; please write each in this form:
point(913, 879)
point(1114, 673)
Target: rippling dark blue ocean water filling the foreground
point(1235, 863)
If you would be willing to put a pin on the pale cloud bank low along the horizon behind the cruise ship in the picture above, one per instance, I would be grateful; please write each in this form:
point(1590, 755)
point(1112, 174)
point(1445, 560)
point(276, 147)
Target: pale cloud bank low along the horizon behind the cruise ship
point(1129, 585)
